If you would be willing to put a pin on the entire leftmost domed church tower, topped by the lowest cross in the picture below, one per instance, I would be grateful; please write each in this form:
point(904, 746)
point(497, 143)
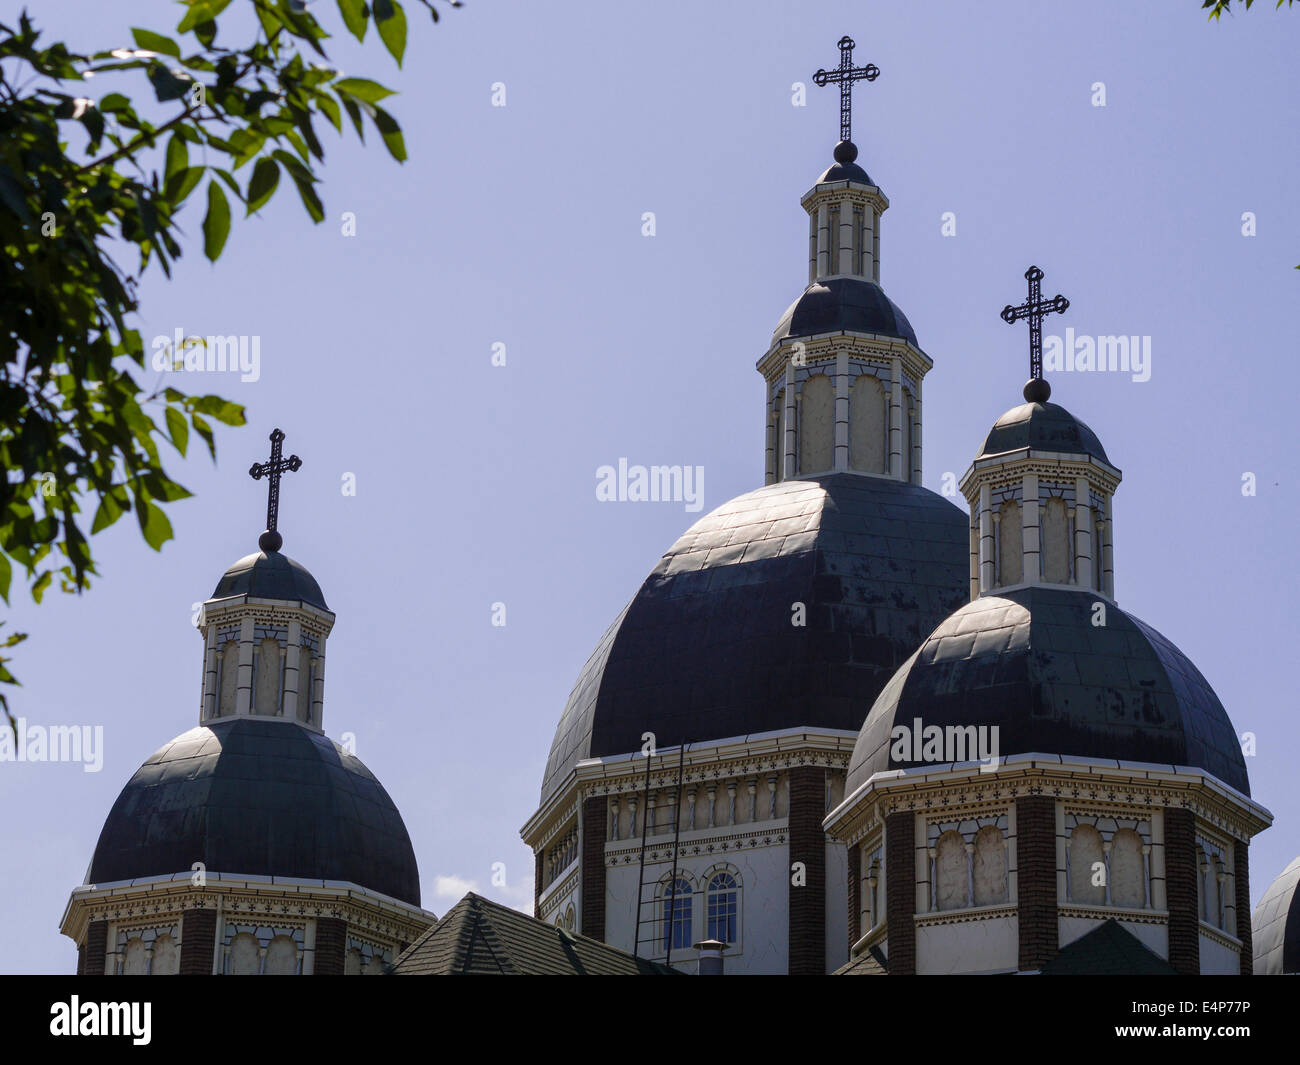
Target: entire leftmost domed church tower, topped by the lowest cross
point(253, 843)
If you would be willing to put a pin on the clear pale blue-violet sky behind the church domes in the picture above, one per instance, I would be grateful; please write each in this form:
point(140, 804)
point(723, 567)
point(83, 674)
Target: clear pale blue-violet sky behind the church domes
point(523, 226)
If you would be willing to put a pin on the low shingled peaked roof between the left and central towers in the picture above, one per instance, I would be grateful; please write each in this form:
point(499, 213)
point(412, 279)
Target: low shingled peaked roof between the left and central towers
point(479, 937)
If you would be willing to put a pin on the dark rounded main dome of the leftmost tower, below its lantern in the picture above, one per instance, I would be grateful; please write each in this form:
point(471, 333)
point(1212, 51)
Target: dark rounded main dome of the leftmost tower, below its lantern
point(261, 798)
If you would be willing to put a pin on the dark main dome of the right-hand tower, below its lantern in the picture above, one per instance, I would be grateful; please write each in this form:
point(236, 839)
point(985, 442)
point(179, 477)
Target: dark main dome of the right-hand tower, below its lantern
point(1032, 663)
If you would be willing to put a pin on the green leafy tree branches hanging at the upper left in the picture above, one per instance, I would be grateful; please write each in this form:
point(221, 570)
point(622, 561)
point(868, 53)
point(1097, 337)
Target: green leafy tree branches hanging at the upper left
point(77, 427)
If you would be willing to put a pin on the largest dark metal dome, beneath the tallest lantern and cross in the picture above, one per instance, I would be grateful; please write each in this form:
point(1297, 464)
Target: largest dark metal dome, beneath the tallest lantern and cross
point(707, 650)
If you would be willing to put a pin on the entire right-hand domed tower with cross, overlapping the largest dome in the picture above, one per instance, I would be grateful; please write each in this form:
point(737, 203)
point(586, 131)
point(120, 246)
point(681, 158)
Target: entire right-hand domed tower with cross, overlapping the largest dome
point(1047, 785)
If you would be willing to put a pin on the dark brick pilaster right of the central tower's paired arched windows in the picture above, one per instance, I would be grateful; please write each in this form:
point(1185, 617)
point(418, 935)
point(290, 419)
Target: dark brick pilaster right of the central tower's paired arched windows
point(808, 846)
